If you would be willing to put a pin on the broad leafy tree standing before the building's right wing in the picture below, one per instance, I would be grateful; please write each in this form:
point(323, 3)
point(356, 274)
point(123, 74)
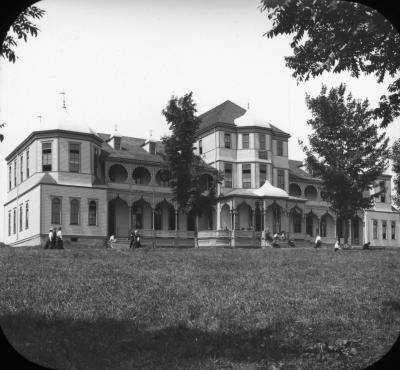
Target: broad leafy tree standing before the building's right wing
point(346, 151)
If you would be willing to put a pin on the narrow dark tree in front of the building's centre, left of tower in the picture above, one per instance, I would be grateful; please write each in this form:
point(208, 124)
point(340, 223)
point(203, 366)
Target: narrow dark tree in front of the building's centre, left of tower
point(186, 167)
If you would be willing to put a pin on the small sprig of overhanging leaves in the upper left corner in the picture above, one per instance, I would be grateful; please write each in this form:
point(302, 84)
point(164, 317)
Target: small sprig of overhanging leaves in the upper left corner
point(21, 28)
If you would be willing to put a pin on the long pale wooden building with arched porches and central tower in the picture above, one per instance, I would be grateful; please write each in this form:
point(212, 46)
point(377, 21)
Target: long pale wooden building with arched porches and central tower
point(94, 185)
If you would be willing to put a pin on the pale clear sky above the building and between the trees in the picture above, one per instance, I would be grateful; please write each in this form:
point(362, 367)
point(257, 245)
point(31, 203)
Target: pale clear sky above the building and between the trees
point(120, 61)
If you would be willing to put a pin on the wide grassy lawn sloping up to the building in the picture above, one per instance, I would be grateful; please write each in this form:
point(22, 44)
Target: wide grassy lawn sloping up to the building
point(191, 308)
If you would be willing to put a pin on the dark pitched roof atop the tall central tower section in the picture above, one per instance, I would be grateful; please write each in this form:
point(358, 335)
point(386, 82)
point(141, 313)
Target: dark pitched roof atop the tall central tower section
point(223, 113)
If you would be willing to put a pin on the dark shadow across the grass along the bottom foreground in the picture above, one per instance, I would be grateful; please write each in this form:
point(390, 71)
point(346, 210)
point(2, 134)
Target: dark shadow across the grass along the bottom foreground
point(108, 343)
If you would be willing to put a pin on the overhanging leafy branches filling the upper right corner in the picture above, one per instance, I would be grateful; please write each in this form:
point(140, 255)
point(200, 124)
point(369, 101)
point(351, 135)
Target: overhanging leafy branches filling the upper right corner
point(339, 36)
